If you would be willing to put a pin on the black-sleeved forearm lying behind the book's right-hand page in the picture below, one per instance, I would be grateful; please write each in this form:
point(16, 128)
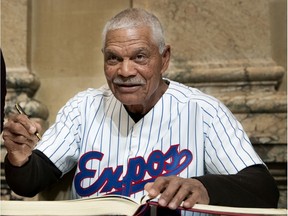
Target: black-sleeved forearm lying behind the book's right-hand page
point(251, 187)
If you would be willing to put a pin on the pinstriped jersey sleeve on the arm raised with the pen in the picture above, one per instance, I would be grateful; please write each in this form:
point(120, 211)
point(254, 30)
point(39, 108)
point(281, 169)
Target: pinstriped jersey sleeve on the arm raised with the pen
point(60, 143)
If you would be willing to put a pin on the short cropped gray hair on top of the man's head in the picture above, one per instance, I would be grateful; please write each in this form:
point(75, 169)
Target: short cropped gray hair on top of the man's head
point(133, 18)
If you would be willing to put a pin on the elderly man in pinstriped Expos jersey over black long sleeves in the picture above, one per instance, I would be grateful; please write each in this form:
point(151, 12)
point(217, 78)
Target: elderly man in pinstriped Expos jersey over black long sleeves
point(142, 132)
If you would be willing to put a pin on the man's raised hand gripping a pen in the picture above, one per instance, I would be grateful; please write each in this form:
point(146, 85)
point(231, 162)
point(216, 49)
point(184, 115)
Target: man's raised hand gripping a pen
point(19, 138)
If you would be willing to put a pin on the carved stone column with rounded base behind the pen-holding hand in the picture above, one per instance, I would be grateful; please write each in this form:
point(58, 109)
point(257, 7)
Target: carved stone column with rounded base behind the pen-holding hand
point(22, 83)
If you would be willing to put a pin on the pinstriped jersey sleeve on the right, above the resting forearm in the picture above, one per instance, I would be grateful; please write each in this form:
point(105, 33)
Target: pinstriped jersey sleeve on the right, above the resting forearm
point(227, 147)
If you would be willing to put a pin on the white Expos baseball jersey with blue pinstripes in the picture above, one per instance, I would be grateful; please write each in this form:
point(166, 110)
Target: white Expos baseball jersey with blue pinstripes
point(187, 133)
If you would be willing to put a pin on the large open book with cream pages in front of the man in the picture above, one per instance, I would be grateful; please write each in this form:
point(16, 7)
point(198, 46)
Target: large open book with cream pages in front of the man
point(117, 205)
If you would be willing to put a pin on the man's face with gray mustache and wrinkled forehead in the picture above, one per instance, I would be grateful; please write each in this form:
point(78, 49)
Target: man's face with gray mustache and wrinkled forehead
point(133, 66)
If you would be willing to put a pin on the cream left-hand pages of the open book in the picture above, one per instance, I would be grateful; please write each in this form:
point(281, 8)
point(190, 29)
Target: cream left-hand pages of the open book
point(94, 206)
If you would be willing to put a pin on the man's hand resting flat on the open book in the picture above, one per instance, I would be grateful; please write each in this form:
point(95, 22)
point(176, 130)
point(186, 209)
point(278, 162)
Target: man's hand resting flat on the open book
point(176, 191)
